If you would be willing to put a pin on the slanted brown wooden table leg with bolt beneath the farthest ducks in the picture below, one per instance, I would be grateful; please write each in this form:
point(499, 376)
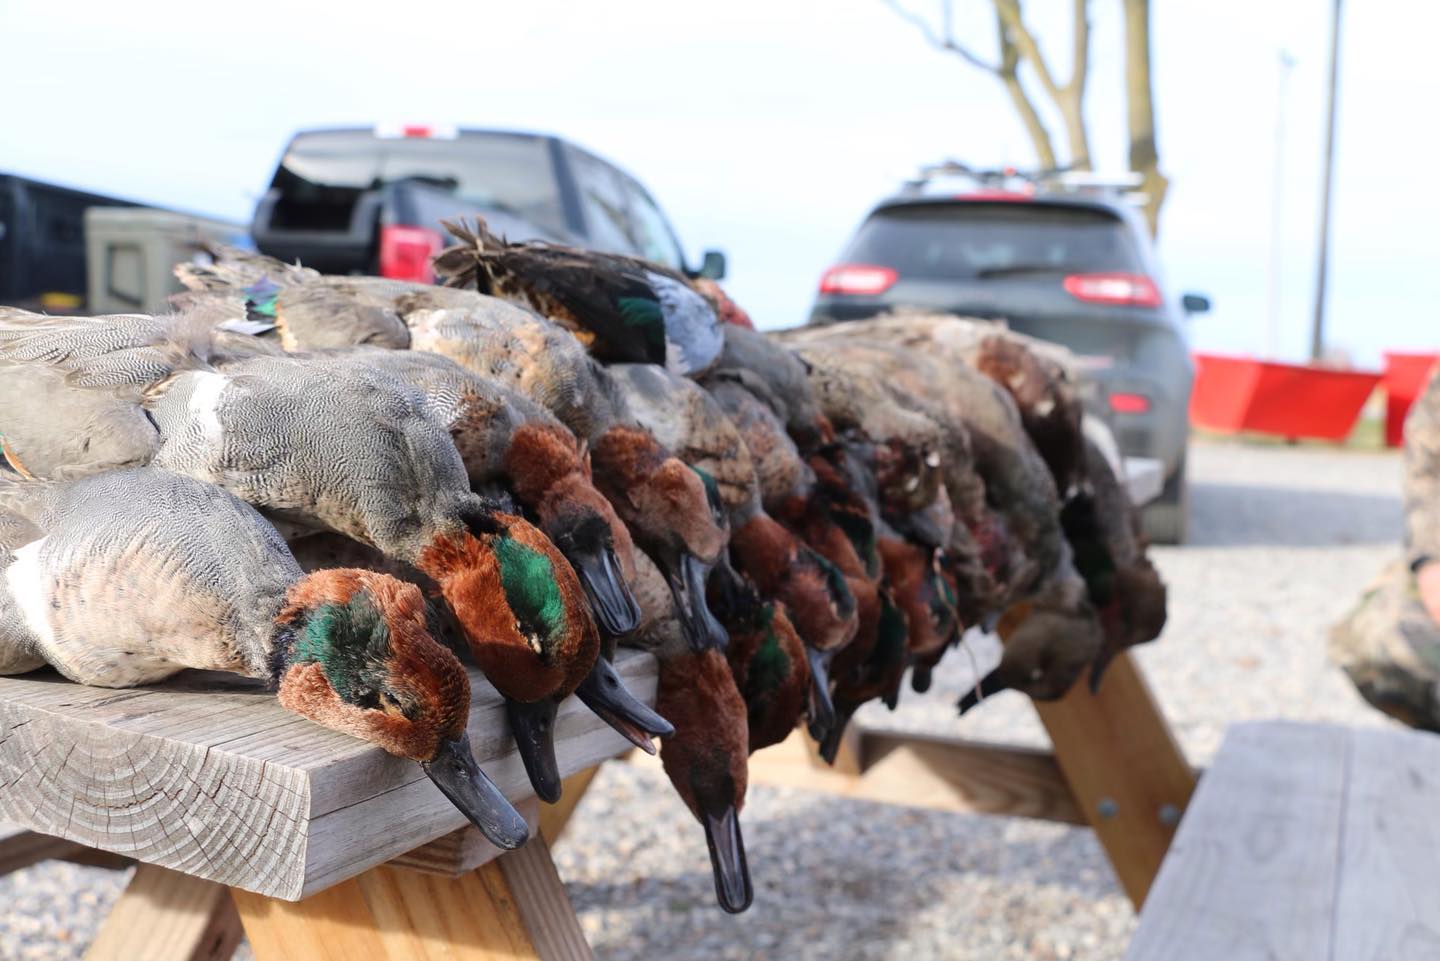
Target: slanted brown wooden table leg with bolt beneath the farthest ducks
point(1124, 767)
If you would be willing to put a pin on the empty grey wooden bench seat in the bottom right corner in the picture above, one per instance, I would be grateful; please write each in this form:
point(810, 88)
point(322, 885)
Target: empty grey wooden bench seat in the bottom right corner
point(1304, 842)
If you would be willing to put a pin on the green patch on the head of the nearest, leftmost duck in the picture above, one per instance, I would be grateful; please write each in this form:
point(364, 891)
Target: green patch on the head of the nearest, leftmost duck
point(352, 645)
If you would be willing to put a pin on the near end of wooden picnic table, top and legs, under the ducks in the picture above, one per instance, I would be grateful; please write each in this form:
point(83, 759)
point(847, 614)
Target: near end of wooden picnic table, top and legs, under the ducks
point(228, 802)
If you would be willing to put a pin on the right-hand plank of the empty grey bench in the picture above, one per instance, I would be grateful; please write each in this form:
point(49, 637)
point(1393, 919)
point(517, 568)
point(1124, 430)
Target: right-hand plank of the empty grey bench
point(1387, 904)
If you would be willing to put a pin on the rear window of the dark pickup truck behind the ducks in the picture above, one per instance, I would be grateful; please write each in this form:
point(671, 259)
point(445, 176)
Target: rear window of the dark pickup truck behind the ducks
point(323, 174)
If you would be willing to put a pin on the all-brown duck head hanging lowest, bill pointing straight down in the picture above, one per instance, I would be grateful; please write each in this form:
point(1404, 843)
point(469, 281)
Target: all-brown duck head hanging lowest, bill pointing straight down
point(706, 761)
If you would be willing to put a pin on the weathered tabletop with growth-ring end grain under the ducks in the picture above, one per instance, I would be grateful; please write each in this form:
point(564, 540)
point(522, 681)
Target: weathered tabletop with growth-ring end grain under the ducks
point(210, 776)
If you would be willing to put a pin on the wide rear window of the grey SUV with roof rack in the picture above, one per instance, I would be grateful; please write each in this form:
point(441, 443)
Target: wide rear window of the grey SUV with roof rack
point(978, 241)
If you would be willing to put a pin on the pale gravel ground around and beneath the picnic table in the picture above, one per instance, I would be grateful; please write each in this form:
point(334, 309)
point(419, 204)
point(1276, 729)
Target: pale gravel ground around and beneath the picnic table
point(1282, 541)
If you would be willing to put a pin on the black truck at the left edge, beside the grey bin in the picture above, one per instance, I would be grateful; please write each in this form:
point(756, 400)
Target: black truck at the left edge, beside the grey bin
point(42, 243)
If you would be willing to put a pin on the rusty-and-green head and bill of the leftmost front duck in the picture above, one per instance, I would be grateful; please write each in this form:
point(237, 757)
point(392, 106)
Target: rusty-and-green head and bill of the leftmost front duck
point(355, 656)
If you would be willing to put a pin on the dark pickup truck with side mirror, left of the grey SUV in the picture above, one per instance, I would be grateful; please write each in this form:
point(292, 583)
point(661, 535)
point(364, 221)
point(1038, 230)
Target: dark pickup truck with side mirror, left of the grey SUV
point(371, 201)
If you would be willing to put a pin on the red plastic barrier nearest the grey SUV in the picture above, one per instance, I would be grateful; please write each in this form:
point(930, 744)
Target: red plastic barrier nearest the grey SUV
point(1241, 394)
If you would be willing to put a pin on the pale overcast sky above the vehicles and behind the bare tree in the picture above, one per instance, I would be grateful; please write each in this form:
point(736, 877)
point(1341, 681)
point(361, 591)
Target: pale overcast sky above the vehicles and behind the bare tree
point(770, 128)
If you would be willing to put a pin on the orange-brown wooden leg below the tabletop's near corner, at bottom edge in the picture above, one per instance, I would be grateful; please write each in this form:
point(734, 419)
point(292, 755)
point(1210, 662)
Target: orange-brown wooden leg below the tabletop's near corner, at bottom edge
point(512, 908)
